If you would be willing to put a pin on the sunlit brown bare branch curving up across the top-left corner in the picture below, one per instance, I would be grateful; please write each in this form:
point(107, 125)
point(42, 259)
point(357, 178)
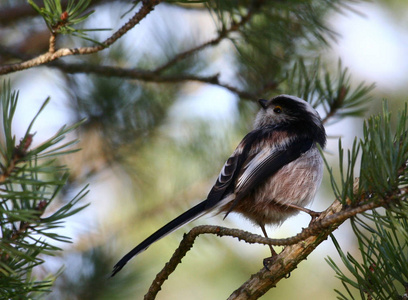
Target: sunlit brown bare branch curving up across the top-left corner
point(146, 8)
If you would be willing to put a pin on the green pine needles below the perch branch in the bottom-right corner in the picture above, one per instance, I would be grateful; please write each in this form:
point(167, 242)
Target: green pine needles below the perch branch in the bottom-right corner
point(382, 272)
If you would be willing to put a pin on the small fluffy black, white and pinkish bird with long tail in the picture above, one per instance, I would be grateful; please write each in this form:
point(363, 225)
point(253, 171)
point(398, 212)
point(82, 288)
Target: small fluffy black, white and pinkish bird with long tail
point(274, 172)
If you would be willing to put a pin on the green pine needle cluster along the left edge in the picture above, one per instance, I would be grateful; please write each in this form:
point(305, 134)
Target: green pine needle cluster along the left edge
point(30, 182)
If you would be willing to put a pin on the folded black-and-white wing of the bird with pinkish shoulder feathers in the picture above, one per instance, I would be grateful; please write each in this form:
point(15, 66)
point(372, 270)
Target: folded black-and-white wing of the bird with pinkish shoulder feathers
point(260, 154)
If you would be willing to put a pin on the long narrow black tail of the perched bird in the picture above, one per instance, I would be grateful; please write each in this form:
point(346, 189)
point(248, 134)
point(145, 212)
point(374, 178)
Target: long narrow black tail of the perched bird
point(186, 217)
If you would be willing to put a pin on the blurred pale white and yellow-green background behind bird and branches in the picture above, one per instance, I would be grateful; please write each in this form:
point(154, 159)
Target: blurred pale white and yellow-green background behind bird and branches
point(152, 150)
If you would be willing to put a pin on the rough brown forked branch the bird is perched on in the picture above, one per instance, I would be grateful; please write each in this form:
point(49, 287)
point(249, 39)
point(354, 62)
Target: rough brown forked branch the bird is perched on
point(297, 247)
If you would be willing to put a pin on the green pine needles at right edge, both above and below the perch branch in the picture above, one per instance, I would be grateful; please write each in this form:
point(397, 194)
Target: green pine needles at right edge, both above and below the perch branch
point(381, 234)
